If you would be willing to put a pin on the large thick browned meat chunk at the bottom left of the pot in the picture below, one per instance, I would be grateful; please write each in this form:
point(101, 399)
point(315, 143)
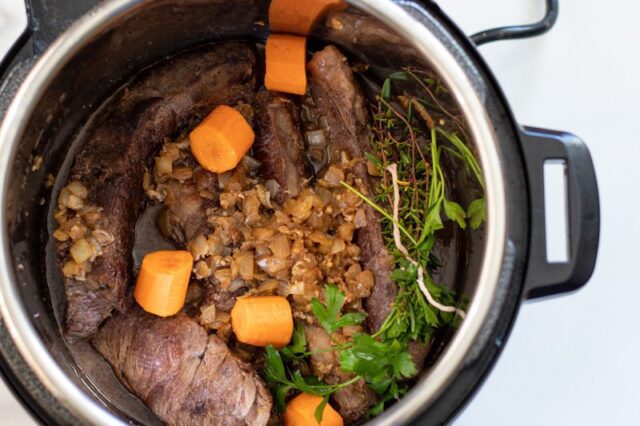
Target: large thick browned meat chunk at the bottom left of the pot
point(184, 375)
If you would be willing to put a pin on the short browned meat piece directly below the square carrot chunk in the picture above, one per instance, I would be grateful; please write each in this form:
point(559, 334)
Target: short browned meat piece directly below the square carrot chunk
point(279, 144)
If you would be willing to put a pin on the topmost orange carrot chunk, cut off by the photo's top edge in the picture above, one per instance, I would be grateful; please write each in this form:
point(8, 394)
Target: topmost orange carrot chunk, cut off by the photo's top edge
point(298, 16)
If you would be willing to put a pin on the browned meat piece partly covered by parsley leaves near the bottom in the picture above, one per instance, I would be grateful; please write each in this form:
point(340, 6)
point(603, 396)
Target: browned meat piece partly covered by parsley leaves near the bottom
point(355, 400)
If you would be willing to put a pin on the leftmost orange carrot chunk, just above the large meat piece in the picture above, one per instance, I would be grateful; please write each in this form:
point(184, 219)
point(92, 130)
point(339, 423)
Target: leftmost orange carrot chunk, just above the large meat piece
point(162, 284)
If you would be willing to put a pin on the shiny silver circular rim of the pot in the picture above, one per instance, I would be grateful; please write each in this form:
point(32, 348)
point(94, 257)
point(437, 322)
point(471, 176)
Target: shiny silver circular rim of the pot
point(443, 61)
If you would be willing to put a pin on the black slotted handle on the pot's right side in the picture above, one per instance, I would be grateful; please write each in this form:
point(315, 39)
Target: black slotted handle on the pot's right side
point(583, 213)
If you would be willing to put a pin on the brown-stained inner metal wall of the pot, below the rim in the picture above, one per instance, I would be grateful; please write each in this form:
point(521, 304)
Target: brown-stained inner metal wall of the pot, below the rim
point(101, 60)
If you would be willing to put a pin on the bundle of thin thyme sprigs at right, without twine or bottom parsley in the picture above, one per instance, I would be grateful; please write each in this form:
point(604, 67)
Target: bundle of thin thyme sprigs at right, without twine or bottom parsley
point(417, 148)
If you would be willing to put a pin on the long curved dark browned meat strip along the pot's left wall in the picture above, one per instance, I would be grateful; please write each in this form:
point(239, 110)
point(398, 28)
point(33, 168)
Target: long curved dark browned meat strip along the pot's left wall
point(111, 165)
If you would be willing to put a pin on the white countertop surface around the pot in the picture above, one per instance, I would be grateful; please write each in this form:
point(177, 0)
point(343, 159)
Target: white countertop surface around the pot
point(574, 359)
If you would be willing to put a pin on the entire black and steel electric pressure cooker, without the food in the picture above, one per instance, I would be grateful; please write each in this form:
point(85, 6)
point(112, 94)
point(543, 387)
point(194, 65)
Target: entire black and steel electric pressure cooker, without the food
point(76, 53)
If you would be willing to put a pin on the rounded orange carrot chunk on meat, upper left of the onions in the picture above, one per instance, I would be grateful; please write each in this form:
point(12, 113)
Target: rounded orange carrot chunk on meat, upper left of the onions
point(221, 140)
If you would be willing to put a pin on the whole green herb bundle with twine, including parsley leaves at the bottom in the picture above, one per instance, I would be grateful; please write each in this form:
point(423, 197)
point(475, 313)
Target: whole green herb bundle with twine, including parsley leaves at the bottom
point(411, 134)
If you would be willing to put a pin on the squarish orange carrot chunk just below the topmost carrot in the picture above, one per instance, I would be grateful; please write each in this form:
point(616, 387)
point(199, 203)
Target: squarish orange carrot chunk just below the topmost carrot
point(286, 64)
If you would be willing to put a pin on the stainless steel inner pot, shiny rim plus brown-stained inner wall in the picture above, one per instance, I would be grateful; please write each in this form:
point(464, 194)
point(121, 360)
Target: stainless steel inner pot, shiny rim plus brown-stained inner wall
point(102, 51)
